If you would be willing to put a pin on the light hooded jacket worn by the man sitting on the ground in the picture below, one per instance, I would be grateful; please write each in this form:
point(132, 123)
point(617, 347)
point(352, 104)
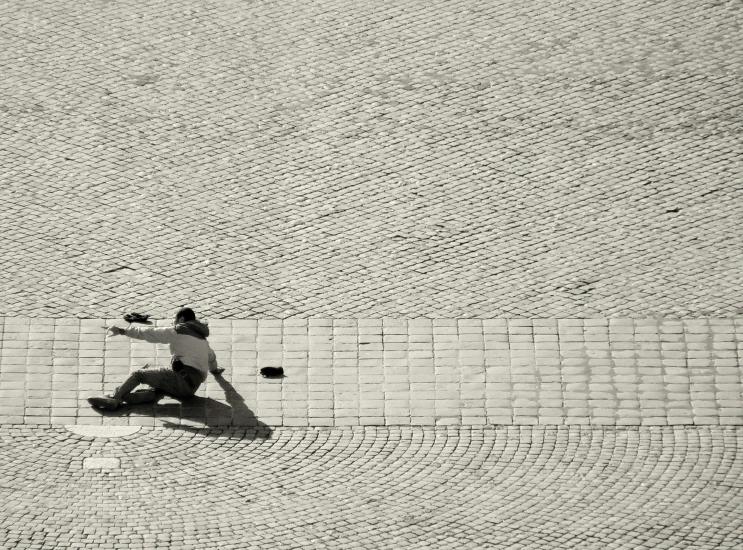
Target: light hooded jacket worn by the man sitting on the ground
point(187, 342)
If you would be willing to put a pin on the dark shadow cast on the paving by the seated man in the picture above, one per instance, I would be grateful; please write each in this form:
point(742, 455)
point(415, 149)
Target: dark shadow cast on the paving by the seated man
point(204, 412)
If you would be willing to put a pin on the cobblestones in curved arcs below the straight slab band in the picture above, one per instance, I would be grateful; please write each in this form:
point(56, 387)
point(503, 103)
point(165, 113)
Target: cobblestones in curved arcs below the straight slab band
point(374, 488)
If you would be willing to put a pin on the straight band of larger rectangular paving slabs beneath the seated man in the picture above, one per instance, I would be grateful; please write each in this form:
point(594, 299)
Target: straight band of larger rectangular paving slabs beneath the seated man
point(393, 372)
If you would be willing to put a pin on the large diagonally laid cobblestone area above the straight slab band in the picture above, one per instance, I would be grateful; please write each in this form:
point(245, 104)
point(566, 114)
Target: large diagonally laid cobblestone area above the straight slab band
point(451, 159)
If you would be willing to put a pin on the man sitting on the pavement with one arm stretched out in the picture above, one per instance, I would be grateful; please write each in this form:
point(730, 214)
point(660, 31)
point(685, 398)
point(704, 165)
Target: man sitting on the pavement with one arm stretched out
point(191, 359)
